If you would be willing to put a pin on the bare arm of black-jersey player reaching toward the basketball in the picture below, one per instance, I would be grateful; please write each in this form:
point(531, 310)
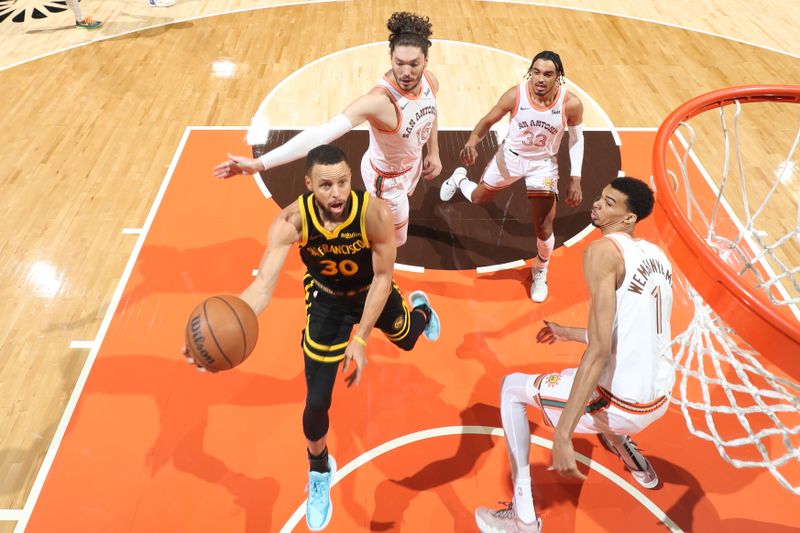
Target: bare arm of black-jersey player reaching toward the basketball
point(285, 231)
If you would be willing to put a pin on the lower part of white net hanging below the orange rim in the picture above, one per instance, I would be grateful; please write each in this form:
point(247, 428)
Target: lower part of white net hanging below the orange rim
point(729, 398)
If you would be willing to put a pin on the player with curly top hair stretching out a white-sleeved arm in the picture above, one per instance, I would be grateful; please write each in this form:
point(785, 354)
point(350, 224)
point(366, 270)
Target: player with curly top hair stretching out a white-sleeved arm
point(400, 112)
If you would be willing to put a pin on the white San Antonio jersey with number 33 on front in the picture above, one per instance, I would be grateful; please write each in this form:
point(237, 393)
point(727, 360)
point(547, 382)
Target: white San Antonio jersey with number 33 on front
point(535, 132)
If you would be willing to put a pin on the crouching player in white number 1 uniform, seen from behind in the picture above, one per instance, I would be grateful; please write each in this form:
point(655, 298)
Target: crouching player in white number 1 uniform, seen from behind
point(625, 375)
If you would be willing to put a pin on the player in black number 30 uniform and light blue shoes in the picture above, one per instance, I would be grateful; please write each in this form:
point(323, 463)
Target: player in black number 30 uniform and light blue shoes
point(346, 241)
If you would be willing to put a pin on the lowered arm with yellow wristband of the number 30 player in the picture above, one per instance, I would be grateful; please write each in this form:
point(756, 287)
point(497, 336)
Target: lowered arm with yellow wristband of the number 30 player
point(380, 233)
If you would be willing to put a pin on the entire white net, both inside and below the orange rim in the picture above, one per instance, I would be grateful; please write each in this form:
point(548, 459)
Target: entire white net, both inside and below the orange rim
point(729, 394)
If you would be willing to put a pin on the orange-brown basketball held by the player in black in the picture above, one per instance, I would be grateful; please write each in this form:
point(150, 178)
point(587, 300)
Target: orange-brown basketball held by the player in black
point(221, 332)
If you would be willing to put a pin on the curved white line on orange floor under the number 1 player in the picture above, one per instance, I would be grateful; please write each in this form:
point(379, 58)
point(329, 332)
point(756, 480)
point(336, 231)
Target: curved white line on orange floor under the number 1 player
point(399, 442)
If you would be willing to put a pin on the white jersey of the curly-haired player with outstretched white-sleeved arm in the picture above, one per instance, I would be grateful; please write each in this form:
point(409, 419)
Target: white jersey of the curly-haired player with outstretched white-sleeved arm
point(395, 152)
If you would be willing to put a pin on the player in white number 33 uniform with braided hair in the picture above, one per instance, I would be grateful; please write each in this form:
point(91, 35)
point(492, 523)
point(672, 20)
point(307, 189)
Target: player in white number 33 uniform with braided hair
point(541, 108)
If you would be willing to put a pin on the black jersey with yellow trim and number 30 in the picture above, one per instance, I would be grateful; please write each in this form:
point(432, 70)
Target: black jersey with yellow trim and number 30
point(340, 261)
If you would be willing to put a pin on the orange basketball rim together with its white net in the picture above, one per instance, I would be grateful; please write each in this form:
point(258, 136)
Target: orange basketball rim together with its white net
point(726, 391)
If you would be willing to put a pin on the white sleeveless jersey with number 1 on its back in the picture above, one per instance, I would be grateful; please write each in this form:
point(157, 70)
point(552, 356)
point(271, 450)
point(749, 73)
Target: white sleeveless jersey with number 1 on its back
point(641, 369)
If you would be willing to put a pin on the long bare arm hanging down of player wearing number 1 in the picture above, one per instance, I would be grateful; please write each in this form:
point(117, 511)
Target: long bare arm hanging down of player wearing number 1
point(600, 264)
